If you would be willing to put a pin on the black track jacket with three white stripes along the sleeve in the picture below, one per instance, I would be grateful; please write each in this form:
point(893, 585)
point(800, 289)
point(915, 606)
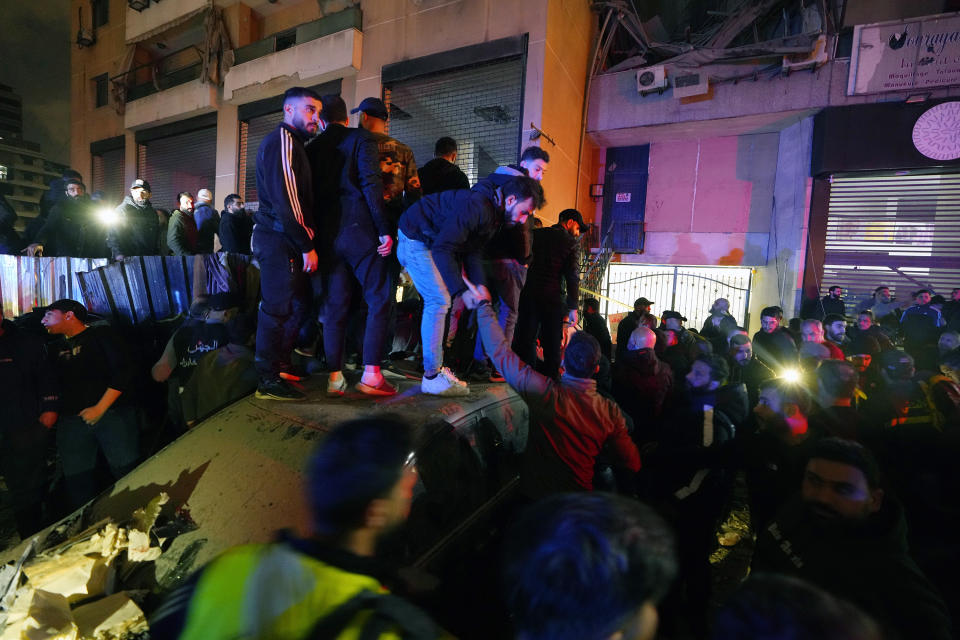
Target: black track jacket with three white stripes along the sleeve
point(284, 188)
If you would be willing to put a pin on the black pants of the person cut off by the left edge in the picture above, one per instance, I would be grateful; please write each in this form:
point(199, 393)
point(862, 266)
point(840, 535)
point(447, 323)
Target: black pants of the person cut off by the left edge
point(23, 463)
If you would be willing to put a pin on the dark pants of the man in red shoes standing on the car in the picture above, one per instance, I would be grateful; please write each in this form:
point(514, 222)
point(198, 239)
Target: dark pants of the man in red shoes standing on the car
point(358, 262)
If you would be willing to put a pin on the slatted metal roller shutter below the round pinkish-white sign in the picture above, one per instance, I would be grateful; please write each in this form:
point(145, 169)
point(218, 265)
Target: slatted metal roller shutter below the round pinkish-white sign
point(902, 231)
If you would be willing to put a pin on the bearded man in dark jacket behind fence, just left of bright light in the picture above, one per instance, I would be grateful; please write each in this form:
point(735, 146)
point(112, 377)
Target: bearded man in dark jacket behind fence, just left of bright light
point(71, 228)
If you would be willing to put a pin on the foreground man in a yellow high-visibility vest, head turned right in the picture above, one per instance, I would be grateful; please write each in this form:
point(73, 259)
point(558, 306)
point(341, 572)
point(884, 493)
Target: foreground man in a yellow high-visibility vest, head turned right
point(360, 484)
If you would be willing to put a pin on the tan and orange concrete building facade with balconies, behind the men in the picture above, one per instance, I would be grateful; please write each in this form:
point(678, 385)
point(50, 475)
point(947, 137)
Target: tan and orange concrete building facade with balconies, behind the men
point(138, 102)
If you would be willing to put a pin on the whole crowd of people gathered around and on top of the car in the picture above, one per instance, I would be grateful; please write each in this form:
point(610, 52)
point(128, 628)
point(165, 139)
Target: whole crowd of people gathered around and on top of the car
point(838, 430)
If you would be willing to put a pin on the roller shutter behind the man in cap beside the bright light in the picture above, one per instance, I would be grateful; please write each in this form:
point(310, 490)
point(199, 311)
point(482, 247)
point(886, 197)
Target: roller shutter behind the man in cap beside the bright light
point(180, 162)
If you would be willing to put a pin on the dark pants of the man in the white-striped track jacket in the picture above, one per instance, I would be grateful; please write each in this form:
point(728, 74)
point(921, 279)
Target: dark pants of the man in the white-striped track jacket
point(283, 300)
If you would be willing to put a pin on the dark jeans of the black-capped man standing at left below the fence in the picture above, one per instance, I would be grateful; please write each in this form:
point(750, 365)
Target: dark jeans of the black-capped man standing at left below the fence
point(116, 433)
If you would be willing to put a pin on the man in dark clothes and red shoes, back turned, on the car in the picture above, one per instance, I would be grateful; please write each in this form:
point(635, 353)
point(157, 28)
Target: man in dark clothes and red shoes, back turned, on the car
point(355, 238)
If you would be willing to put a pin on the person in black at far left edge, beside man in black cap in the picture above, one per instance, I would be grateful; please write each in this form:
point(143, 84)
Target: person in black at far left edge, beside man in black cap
point(30, 400)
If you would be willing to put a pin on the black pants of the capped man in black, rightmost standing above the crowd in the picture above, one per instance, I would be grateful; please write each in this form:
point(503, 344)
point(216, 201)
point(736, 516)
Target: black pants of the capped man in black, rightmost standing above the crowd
point(543, 318)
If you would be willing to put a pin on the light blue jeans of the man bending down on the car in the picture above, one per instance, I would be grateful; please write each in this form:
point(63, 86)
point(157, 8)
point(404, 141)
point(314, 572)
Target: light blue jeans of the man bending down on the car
point(418, 261)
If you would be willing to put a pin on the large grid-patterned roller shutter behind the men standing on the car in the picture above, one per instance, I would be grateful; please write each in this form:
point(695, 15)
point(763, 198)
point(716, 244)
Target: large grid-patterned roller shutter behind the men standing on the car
point(479, 107)
